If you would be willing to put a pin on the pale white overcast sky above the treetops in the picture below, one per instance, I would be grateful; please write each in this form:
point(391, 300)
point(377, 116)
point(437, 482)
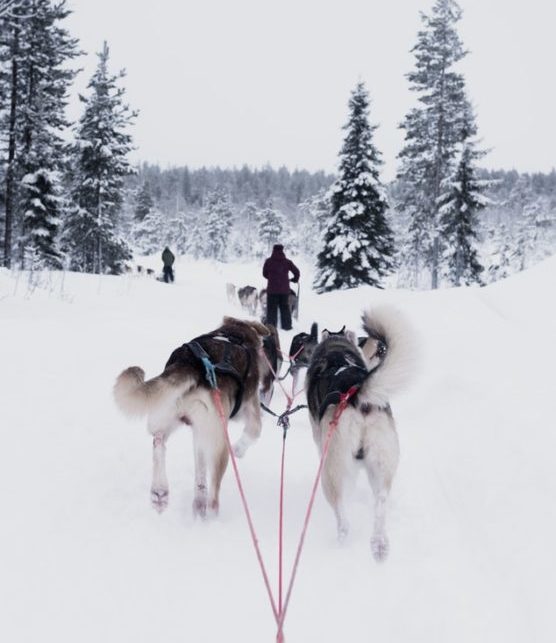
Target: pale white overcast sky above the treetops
point(228, 82)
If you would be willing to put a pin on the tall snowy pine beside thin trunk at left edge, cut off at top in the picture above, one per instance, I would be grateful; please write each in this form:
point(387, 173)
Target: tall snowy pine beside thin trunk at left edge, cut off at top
point(46, 51)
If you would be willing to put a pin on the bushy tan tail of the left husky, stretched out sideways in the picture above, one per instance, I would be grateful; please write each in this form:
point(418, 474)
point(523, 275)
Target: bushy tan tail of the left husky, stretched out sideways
point(135, 397)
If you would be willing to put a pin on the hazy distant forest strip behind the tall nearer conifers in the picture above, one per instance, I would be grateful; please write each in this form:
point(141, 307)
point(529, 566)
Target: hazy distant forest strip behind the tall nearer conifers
point(517, 227)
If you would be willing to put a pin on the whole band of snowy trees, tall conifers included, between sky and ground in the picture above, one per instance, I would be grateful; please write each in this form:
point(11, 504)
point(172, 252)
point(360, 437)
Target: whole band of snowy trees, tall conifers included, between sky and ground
point(70, 198)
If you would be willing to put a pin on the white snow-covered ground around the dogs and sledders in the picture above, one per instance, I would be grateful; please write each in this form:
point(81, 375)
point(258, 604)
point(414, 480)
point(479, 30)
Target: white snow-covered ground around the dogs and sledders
point(472, 514)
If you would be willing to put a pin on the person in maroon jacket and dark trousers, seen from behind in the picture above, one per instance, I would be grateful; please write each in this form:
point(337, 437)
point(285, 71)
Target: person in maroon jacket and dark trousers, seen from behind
point(276, 269)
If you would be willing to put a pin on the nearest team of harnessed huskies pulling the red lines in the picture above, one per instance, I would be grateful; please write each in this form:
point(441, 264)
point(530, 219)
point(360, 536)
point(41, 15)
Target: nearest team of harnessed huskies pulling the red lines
point(246, 357)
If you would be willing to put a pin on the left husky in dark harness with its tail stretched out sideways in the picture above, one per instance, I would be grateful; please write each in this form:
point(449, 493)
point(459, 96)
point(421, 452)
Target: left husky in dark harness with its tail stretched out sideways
point(181, 395)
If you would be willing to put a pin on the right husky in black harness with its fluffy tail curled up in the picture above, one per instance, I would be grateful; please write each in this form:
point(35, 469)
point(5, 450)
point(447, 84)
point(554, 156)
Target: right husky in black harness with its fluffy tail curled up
point(366, 434)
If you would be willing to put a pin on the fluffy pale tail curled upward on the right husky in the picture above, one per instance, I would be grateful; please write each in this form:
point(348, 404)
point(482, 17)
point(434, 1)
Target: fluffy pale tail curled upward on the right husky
point(400, 362)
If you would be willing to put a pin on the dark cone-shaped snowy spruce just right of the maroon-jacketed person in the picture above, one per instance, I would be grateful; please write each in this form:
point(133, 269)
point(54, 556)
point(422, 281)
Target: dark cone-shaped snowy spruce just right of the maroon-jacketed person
point(358, 245)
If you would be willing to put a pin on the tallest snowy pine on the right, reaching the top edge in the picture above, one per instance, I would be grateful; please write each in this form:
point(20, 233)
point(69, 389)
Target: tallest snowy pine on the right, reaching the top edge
point(432, 130)
